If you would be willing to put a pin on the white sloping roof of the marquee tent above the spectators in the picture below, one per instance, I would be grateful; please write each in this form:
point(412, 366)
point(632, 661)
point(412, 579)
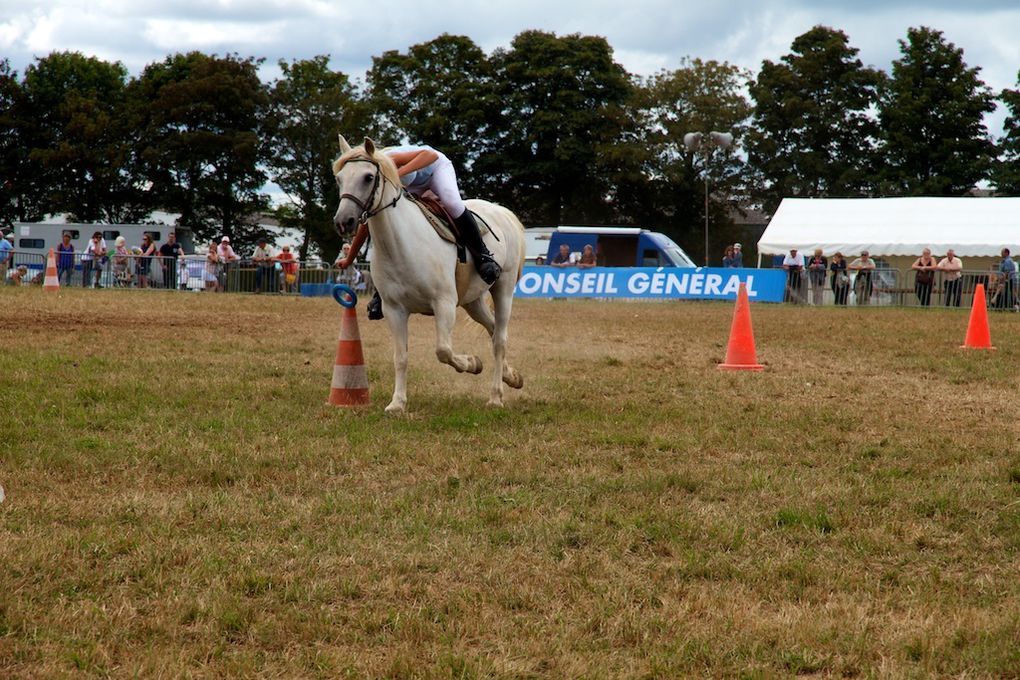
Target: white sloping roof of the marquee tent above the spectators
point(972, 227)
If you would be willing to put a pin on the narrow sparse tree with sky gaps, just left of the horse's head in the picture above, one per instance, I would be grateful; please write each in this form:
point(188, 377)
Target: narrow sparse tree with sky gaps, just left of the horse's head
point(311, 104)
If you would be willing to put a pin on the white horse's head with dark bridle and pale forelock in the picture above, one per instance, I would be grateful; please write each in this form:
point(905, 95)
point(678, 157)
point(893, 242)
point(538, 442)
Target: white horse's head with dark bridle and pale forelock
point(363, 175)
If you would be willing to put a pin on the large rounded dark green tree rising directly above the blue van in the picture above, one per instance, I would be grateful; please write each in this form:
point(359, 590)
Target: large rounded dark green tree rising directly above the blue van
point(563, 106)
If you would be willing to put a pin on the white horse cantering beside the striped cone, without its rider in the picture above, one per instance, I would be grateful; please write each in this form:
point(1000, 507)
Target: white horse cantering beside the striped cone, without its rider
point(418, 273)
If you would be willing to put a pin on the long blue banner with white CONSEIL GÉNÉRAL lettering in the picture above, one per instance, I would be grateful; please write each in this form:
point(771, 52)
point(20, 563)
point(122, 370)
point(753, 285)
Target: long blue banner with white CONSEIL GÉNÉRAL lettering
point(651, 283)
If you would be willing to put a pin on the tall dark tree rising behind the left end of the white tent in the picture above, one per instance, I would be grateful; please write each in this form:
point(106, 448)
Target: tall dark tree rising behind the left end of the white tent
point(813, 134)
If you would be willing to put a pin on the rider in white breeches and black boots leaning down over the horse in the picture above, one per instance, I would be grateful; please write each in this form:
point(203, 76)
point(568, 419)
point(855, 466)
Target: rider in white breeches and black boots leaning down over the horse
point(423, 169)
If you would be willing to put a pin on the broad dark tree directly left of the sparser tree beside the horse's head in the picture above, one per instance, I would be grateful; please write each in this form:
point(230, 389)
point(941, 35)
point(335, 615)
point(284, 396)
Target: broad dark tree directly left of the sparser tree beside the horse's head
point(200, 120)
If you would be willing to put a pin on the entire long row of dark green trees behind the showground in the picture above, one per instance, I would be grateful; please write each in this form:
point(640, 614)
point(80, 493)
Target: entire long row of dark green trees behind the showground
point(554, 127)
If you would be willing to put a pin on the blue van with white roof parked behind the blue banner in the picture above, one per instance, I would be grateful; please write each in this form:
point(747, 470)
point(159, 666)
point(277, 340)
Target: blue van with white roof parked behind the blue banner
point(620, 247)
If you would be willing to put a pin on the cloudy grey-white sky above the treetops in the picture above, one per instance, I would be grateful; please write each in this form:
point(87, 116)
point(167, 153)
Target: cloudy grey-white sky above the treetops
point(647, 35)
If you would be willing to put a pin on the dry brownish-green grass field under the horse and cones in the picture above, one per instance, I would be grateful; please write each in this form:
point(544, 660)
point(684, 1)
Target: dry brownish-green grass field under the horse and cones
point(181, 502)
